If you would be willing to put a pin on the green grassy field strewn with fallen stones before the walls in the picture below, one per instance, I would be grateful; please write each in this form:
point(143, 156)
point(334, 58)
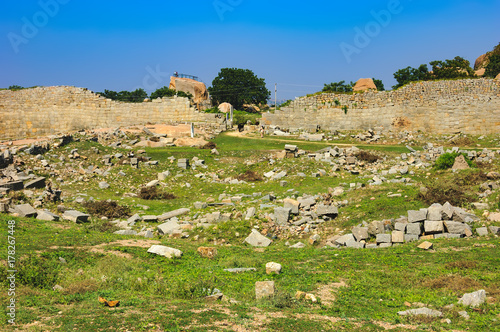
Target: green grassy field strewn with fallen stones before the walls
point(357, 290)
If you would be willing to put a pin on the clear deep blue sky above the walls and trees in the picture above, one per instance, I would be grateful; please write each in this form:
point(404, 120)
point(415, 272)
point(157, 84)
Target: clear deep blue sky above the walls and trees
point(300, 45)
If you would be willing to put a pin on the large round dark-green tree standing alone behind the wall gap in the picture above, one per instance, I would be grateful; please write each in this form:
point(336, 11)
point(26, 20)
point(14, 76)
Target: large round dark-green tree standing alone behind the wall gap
point(237, 87)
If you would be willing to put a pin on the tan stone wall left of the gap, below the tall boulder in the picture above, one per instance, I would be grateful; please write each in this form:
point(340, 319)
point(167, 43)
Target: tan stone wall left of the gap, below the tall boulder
point(51, 110)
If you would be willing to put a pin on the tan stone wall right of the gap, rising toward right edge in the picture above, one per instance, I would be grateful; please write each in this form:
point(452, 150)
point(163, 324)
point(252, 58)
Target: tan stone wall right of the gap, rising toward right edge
point(470, 106)
